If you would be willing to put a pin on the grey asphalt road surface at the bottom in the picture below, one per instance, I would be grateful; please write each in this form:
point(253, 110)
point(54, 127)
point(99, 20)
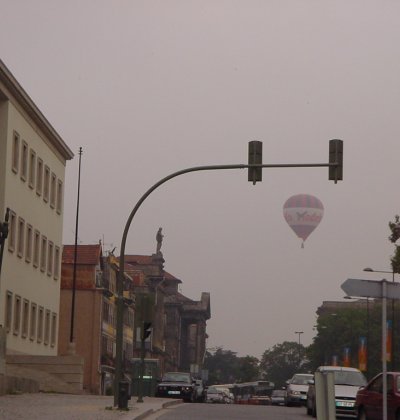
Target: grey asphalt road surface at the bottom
point(230, 411)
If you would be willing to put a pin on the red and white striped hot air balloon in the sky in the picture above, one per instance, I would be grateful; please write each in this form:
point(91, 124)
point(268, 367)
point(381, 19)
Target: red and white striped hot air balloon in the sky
point(303, 213)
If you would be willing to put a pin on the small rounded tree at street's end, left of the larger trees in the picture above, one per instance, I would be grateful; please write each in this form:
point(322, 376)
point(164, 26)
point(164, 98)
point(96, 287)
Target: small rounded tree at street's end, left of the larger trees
point(282, 361)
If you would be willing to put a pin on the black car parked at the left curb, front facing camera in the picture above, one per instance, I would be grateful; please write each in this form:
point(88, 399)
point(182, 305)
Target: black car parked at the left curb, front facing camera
point(177, 385)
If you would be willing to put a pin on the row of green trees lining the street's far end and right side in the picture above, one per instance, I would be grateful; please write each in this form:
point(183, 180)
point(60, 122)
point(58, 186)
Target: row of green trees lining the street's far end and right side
point(337, 331)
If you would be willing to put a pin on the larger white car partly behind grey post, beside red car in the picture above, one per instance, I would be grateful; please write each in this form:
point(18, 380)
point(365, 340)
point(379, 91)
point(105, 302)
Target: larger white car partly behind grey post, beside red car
point(347, 382)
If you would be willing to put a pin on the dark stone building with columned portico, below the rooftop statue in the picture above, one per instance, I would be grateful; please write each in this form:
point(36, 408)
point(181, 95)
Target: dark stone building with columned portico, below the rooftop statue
point(179, 332)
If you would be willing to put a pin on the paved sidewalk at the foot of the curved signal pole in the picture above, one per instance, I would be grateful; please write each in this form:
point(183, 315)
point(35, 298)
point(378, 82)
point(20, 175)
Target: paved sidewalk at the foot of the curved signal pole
point(76, 407)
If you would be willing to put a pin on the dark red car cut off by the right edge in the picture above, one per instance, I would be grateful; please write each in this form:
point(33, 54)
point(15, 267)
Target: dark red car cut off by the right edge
point(369, 399)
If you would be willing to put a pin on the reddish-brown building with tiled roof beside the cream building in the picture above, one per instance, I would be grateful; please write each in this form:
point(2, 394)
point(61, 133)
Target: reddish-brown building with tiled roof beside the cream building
point(94, 331)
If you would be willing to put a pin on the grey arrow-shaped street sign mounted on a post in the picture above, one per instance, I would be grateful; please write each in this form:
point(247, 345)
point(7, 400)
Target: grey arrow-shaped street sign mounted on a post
point(370, 288)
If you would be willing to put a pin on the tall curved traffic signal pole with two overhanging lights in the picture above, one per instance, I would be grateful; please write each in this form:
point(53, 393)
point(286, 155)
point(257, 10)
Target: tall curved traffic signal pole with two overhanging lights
point(335, 165)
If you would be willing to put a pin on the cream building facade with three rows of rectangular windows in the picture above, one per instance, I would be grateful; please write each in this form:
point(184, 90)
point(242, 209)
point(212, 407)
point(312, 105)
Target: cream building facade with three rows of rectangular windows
point(32, 170)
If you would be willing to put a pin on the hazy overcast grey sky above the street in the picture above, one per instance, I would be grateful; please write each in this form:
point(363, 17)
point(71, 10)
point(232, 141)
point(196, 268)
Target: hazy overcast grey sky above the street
point(151, 87)
